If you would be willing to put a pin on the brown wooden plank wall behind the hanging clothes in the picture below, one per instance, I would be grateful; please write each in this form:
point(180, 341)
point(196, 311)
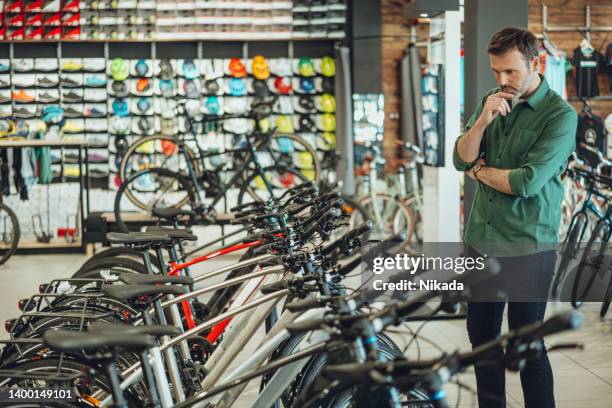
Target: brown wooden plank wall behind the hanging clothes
point(395, 35)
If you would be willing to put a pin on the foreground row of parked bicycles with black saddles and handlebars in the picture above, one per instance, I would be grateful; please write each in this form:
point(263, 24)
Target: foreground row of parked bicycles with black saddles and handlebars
point(134, 327)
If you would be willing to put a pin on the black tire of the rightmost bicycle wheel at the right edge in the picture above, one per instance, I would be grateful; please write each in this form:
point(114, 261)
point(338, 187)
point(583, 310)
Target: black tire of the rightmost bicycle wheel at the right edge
point(578, 295)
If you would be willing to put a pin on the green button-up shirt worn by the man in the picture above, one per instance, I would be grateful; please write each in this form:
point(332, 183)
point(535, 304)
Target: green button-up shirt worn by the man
point(534, 140)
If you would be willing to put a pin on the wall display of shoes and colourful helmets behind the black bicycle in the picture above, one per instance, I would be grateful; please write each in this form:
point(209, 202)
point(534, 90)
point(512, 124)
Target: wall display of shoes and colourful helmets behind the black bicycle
point(110, 101)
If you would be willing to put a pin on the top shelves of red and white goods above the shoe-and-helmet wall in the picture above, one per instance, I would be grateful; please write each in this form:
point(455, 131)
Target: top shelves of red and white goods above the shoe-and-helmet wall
point(171, 20)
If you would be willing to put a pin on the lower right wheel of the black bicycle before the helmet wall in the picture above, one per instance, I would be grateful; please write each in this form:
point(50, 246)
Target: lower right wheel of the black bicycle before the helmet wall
point(280, 178)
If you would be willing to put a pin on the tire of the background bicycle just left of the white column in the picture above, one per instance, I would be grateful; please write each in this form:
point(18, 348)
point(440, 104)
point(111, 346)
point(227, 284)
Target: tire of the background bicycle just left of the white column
point(398, 209)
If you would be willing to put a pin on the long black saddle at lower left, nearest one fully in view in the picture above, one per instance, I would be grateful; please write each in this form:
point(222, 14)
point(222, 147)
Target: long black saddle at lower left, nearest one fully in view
point(67, 340)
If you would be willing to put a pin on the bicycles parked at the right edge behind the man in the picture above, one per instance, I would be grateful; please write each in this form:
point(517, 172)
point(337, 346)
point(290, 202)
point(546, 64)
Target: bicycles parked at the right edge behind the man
point(585, 265)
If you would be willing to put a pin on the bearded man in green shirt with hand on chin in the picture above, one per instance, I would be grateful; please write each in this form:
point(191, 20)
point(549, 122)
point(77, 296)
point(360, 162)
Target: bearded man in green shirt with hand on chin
point(516, 146)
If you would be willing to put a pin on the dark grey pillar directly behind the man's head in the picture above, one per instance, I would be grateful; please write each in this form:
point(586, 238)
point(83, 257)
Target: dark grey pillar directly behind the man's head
point(482, 19)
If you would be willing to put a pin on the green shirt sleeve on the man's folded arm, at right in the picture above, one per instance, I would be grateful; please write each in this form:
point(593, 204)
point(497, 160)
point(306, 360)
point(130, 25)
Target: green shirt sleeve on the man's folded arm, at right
point(547, 156)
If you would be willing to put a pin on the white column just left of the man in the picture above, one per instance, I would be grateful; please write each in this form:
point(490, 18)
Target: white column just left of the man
point(441, 185)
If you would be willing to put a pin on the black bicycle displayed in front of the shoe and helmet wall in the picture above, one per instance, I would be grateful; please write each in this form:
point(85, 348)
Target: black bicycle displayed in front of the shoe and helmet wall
point(159, 171)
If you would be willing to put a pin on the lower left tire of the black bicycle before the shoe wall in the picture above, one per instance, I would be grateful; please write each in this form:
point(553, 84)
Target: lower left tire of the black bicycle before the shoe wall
point(177, 180)
